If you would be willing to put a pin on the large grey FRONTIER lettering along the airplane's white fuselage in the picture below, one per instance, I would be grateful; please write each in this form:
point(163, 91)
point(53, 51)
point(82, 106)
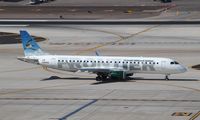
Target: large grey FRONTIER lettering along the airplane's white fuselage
point(127, 64)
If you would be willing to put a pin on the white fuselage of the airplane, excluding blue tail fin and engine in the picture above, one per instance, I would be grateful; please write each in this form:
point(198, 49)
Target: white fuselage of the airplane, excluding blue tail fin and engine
point(150, 65)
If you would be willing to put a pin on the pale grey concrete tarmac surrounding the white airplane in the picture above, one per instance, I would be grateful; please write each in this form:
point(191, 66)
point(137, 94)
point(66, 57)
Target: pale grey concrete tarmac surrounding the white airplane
point(31, 92)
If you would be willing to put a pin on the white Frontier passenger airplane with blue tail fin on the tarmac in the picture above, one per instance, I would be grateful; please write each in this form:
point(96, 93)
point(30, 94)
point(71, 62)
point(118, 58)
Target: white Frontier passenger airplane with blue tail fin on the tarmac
point(106, 67)
